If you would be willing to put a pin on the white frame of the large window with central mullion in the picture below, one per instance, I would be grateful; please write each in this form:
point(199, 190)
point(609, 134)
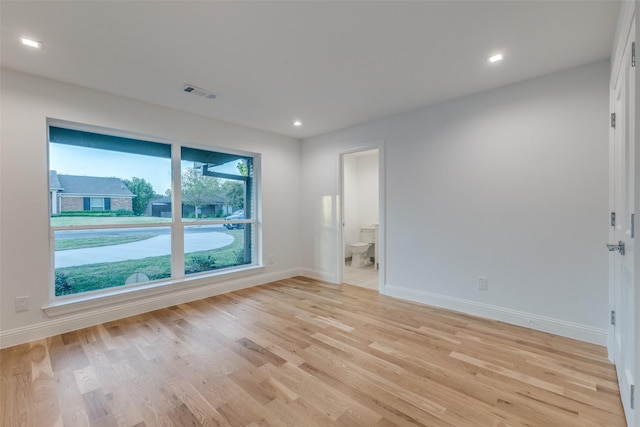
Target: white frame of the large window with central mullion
point(178, 279)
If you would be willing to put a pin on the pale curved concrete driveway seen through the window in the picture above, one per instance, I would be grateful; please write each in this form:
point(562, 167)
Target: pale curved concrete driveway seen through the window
point(155, 246)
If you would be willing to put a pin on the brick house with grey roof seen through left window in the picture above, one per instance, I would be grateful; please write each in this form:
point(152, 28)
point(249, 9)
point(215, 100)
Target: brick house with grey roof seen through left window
point(88, 193)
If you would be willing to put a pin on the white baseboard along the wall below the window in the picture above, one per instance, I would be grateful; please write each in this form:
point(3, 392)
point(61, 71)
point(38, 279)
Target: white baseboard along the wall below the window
point(96, 315)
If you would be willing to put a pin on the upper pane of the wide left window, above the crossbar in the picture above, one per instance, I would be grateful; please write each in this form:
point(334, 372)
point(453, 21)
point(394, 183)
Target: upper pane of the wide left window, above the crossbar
point(120, 176)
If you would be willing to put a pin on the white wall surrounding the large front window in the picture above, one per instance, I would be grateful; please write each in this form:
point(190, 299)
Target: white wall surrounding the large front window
point(27, 102)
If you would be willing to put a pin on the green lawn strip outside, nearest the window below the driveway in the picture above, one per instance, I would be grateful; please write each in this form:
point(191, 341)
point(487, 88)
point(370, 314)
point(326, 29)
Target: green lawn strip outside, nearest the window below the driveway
point(72, 280)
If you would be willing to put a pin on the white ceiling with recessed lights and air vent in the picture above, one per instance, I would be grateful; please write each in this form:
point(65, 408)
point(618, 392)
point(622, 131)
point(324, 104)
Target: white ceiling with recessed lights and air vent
point(330, 64)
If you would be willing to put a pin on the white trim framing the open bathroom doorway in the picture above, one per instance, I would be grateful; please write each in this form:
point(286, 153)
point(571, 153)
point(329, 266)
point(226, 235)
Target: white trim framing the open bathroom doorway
point(381, 242)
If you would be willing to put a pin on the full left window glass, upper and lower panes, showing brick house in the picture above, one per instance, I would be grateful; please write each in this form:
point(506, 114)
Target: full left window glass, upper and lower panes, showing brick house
point(97, 180)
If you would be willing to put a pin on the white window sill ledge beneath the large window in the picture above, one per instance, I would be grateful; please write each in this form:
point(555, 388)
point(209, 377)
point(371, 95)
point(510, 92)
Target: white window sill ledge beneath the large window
point(130, 296)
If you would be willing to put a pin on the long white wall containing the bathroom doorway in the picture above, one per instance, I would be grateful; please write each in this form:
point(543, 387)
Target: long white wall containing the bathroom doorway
point(509, 184)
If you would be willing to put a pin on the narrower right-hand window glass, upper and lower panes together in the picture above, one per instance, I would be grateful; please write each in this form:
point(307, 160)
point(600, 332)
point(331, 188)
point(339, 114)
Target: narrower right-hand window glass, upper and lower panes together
point(217, 188)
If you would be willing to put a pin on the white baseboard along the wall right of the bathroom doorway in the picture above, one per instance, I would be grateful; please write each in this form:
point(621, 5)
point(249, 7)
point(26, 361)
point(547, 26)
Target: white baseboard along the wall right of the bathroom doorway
point(520, 318)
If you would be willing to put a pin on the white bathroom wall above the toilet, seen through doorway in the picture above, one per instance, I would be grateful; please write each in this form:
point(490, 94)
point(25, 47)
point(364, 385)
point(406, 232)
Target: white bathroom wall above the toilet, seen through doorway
point(361, 190)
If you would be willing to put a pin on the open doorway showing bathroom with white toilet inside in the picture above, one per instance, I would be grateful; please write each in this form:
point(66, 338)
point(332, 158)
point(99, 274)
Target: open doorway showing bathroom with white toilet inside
point(360, 173)
